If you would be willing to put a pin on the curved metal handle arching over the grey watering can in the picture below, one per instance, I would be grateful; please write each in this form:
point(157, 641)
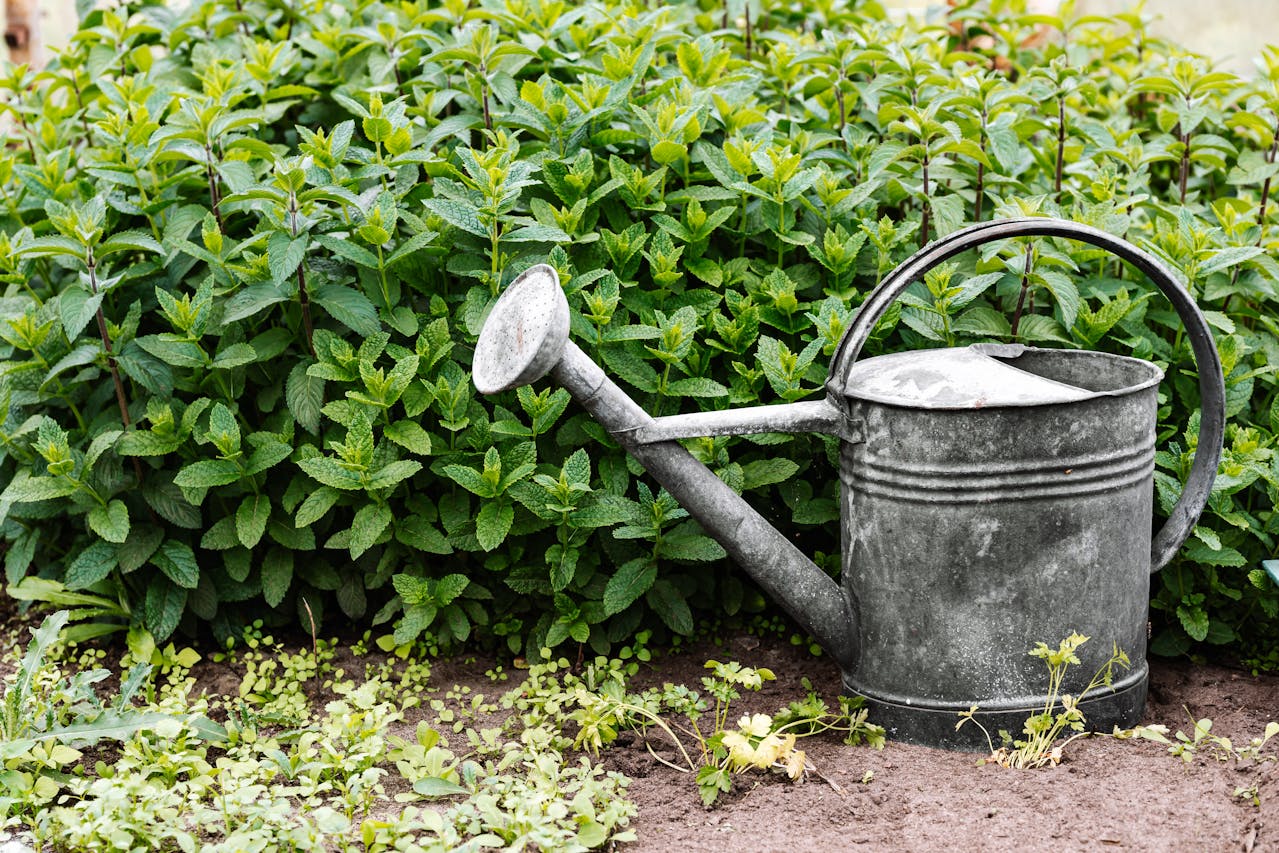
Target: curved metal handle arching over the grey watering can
point(1208, 453)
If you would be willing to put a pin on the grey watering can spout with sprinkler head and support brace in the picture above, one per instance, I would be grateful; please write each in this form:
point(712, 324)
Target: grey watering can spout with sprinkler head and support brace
point(526, 338)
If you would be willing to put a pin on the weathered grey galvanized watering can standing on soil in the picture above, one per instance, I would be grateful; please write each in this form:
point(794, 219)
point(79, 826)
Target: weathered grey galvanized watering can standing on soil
point(993, 497)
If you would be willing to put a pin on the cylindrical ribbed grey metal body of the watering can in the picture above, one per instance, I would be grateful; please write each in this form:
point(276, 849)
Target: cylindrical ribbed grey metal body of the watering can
point(987, 515)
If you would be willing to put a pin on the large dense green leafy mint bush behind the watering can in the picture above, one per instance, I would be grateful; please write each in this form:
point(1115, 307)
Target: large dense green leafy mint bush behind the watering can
point(247, 249)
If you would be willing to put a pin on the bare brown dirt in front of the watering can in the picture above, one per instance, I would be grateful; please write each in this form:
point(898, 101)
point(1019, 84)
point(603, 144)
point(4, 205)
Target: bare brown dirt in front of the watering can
point(1106, 795)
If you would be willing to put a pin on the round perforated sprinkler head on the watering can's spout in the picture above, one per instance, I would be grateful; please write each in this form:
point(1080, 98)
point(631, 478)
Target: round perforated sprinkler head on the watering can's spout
point(525, 334)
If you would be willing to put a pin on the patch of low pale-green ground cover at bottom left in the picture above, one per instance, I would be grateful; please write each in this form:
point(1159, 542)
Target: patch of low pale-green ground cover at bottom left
point(305, 758)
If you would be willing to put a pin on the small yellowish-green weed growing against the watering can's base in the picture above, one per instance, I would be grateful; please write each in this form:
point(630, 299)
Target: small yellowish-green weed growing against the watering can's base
point(1040, 749)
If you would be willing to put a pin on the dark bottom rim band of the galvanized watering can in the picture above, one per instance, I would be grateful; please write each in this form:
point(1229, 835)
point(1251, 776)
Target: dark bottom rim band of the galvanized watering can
point(936, 727)
